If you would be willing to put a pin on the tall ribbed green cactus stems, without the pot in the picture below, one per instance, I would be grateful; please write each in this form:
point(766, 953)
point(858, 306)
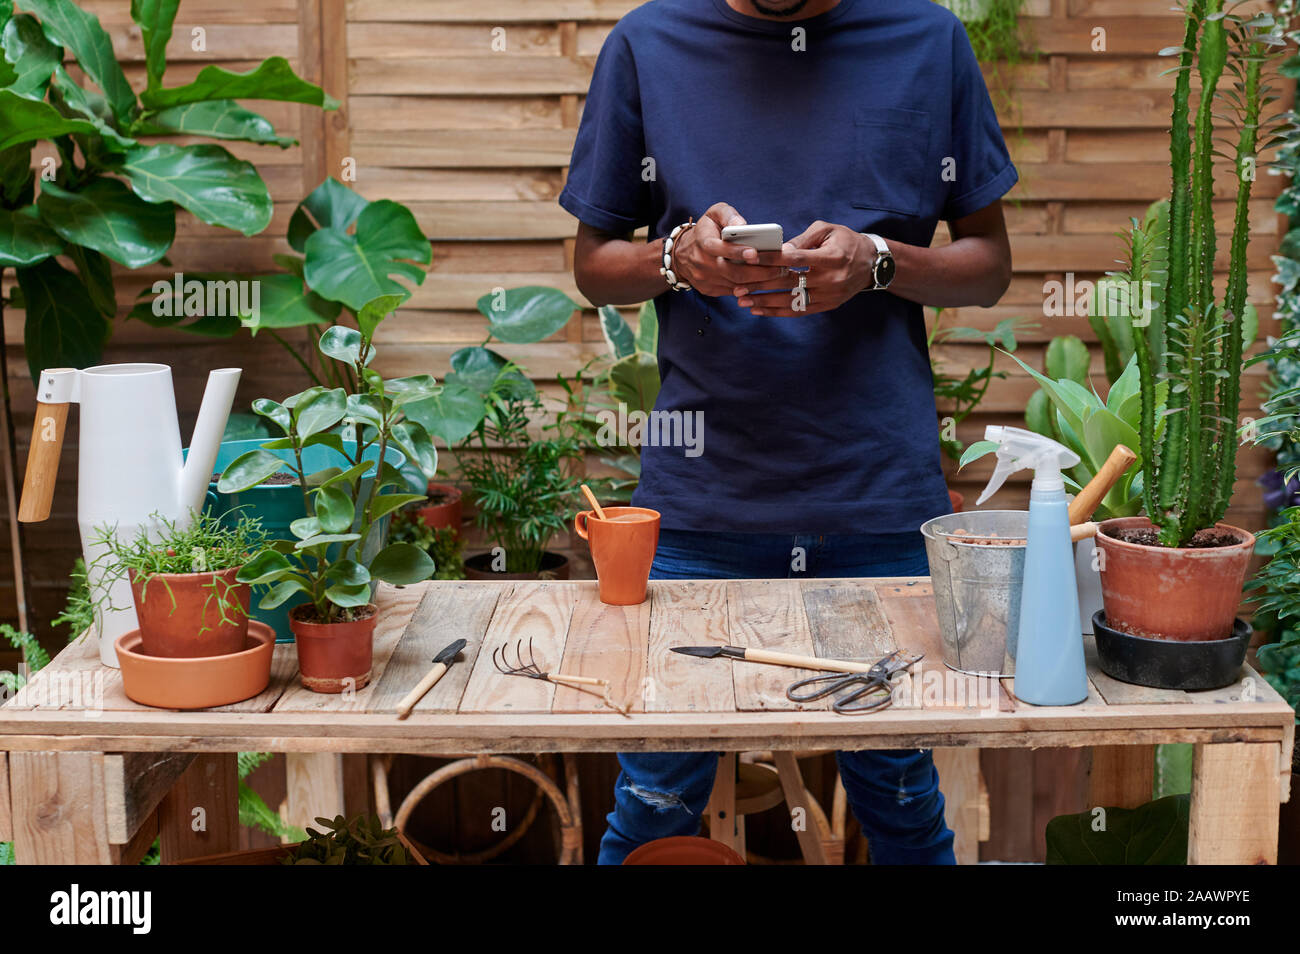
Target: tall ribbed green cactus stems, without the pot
point(1191, 462)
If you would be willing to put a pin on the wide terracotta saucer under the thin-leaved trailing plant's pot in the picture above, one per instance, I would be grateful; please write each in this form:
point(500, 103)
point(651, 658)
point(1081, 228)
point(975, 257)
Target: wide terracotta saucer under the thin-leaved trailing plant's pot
point(200, 682)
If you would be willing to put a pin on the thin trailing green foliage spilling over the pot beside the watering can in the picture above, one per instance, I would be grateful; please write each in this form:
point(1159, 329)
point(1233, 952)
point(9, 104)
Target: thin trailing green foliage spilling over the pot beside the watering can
point(207, 544)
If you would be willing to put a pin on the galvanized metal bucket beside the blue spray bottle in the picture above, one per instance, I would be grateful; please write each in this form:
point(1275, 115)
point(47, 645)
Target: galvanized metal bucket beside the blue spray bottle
point(978, 588)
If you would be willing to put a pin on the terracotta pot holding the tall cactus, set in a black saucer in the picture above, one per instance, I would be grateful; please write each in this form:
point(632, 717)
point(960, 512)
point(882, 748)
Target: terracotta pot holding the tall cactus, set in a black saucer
point(1172, 593)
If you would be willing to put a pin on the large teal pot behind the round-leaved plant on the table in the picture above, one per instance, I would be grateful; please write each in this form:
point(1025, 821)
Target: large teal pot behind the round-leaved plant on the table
point(280, 505)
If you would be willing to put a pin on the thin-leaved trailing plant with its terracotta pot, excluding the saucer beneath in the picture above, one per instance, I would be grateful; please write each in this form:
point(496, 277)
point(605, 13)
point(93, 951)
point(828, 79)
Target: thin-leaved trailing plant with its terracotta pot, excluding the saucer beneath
point(188, 600)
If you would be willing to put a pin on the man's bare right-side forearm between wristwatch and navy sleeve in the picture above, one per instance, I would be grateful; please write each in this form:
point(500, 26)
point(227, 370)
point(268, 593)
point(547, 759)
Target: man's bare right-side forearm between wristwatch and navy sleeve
point(973, 271)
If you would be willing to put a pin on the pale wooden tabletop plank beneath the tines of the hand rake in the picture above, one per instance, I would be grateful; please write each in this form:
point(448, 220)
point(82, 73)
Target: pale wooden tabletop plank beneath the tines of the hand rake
point(535, 617)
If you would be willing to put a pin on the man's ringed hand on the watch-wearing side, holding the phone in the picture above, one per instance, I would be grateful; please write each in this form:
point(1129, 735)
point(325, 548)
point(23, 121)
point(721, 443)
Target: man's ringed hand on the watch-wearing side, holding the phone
point(839, 267)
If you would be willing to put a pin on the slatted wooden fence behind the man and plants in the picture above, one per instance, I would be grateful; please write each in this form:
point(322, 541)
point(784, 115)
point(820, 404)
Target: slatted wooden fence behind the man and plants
point(476, 142)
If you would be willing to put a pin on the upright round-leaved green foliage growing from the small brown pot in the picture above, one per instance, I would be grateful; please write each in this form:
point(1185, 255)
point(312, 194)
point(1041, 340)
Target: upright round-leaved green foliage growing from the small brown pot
point(328, 560)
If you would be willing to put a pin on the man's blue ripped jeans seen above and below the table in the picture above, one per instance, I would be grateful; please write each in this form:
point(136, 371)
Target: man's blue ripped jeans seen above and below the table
point(894, 795)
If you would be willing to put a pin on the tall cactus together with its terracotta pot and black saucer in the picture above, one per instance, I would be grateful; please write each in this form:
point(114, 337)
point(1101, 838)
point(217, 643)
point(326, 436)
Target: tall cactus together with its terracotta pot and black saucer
point(1177, 573)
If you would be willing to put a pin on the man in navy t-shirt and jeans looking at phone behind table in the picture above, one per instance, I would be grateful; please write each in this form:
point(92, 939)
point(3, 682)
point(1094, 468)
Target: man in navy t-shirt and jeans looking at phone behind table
point(856, 125)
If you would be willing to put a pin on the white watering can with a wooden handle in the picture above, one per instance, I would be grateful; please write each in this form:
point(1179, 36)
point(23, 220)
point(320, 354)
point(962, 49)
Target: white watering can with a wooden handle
point(131, 470)
